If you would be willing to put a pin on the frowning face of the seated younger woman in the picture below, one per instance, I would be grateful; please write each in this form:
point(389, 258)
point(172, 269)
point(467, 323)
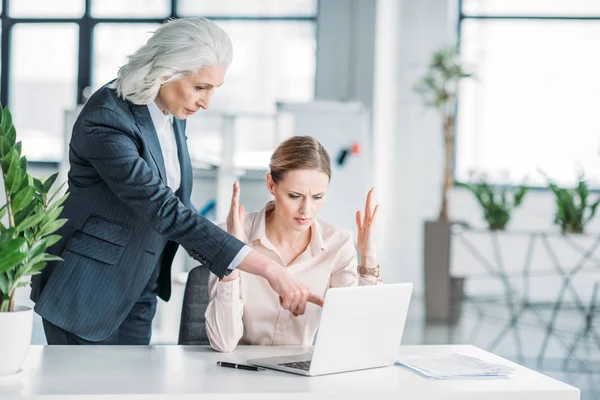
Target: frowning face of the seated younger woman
point(299, 197)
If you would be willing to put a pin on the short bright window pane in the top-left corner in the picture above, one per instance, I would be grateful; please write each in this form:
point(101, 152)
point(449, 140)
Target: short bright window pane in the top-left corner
point(46, 8)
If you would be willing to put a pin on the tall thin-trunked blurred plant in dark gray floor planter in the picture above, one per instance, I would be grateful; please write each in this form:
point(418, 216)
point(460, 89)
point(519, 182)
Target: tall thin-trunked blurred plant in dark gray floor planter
point(438, 89)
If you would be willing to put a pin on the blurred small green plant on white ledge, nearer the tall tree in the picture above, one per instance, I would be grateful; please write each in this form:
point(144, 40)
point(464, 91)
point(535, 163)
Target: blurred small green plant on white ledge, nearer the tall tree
point(495, 201)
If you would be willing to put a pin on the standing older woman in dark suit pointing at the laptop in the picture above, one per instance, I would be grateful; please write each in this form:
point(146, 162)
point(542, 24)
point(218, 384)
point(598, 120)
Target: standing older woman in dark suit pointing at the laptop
point(129, 208)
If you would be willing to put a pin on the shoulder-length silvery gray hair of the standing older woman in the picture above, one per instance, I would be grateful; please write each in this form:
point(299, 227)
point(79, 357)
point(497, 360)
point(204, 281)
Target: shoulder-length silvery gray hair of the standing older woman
point(177, 48)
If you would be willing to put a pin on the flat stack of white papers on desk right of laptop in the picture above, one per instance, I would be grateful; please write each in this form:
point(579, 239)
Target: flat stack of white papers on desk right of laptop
point(453, 366)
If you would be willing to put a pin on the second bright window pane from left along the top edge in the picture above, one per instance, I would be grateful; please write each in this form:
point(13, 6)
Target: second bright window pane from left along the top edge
point(131, 8)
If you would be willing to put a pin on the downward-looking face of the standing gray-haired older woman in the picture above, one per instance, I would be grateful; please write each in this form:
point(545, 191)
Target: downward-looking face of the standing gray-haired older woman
point(187, 95)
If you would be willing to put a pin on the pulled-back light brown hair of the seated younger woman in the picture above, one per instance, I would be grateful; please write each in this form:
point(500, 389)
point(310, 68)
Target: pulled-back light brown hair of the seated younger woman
point(299, 152)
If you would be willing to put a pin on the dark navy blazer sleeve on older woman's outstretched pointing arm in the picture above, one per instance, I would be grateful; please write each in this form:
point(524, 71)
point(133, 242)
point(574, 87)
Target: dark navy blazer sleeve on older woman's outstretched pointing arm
point(107, 140)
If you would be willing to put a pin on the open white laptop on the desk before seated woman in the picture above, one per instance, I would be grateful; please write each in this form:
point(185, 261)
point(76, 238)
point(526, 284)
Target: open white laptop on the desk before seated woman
point(361, 327)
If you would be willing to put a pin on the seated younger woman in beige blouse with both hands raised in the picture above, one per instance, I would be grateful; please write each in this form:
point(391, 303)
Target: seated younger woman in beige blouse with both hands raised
point(243, 309)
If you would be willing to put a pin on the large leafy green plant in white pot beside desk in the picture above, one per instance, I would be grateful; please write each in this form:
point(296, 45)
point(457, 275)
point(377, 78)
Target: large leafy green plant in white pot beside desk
point(28, 220)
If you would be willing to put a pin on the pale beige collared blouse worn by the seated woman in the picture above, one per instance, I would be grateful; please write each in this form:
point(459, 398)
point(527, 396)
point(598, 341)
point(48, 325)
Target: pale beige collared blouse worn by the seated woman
point(247, 311)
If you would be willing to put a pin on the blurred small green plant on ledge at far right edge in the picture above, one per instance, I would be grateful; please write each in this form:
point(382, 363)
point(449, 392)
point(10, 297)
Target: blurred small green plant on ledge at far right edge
point(573, 209)
